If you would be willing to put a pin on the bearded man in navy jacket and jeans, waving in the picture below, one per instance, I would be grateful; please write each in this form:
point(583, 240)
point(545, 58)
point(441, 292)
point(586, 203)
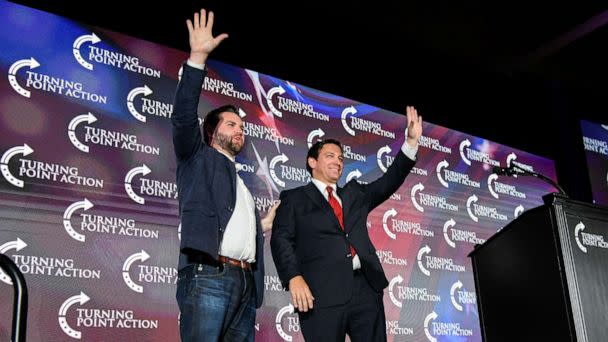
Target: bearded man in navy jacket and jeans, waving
point(221, 265)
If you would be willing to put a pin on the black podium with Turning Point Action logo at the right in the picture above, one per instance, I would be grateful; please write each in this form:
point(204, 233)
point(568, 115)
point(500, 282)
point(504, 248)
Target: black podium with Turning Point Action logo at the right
point(544, 276)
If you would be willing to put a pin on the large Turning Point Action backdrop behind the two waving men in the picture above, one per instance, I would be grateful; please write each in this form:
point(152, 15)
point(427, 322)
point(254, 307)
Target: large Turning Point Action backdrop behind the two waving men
point(89, 201)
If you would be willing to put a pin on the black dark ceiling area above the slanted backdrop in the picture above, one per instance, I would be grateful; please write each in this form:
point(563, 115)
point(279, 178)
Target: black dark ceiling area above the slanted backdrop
point(518, 73)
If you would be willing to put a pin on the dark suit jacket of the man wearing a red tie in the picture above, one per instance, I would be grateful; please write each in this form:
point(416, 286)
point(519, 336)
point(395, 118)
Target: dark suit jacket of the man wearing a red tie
point(307, 239)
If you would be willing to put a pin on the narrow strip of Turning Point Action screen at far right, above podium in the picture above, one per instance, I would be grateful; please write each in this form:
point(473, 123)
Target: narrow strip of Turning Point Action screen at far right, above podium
point(595, 140)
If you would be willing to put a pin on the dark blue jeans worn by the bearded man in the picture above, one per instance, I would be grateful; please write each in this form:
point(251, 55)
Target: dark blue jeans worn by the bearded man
point(216, 303)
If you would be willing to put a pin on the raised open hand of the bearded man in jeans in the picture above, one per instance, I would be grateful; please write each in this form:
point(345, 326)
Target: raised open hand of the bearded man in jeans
point(202, 41)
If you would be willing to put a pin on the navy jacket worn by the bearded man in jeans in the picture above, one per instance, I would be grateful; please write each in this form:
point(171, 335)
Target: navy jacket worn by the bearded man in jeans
point(206, 182)
